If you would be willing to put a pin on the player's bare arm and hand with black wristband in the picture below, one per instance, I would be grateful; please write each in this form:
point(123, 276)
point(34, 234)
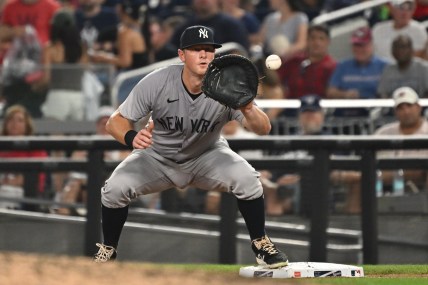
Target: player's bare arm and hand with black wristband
point(123, 131)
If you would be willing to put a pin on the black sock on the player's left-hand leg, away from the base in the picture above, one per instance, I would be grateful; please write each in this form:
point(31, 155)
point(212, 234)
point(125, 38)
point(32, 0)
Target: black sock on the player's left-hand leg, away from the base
point(112, 222)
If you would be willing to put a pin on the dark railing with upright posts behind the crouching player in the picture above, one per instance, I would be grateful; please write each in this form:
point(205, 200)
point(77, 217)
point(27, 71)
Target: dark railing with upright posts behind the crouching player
point(319, 166)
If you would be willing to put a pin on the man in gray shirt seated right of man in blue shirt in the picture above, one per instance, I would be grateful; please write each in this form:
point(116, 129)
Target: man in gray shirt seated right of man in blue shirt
point(408, 70)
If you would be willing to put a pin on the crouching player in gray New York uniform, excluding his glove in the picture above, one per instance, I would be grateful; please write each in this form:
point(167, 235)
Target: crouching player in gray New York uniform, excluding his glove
point(182, 146)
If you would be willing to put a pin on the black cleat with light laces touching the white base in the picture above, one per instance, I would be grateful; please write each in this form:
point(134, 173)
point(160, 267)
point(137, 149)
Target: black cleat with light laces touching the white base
point(267, 254)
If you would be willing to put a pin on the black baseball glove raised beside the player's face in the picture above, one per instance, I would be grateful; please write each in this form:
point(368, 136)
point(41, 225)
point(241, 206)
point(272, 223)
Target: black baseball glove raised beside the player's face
point(231, 80)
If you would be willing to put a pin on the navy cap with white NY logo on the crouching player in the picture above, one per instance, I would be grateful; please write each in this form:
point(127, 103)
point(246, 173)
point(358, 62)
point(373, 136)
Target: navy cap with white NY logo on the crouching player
point(197, 35)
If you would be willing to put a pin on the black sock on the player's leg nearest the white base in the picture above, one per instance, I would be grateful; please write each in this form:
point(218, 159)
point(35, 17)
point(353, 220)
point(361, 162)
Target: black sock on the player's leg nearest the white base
point(253, 212)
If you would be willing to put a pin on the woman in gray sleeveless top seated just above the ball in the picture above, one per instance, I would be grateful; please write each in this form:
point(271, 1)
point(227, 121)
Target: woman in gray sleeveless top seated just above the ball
point(284, 32)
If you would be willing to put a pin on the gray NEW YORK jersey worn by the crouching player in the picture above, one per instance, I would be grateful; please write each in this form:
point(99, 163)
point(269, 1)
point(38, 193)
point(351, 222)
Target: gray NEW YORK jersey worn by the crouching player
point(184, 128)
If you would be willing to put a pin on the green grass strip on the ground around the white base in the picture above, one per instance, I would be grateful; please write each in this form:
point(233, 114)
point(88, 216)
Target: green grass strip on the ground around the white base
point(374, 274)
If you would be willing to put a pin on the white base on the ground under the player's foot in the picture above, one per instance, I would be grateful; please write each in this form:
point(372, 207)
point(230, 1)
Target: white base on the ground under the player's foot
point(304, 270)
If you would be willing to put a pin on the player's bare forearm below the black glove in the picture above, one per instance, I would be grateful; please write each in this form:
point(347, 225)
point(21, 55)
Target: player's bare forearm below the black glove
point(255, 119)
